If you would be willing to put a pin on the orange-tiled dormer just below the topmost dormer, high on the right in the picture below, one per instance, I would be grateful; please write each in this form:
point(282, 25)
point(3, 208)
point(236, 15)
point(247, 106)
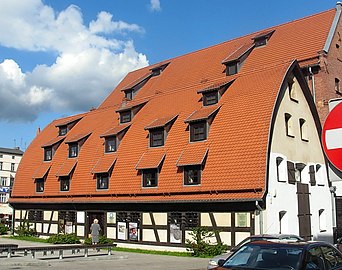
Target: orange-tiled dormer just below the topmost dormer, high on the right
point(236, 59)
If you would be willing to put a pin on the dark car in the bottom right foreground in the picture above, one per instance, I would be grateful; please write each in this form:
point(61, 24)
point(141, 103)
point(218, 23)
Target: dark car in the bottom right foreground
point(273, 254)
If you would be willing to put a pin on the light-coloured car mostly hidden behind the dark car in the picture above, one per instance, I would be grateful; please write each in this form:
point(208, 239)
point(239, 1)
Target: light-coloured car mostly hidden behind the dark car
point(213, 263)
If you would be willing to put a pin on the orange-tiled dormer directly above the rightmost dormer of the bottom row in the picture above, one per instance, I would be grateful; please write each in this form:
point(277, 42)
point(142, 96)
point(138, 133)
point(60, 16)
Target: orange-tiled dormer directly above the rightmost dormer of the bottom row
point(200, 121)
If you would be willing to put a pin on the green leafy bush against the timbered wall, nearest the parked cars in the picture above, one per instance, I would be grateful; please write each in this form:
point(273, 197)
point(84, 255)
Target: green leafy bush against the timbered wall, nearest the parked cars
point(200, 245)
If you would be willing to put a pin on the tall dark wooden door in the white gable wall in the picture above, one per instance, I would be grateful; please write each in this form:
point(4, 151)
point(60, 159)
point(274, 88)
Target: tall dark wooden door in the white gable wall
point(304, 216)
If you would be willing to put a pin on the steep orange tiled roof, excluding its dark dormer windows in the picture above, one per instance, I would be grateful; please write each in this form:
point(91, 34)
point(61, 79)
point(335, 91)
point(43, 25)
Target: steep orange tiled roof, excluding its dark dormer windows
point(235, 152)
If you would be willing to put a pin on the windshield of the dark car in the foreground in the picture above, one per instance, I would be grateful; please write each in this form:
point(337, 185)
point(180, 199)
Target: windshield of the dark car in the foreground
point(265, 257)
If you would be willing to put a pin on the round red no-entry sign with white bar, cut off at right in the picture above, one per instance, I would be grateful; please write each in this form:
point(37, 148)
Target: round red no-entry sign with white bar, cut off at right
point(332, 136)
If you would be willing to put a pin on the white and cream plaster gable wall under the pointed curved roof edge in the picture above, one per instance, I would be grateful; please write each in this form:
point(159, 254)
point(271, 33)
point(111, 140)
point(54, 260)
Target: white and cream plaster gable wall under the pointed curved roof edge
point(282, 195)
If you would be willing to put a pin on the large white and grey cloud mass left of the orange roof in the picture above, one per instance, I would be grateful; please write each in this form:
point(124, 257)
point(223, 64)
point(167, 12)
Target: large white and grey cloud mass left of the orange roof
point(87, 66)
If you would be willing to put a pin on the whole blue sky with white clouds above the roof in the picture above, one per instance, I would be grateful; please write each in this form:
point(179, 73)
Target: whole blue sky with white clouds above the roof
point(59, 58)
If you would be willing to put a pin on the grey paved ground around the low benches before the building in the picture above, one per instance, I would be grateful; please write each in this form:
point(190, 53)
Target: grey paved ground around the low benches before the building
point(117, 261)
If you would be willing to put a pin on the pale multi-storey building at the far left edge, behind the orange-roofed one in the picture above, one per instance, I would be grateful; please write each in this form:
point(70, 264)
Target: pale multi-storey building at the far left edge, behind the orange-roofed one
point(9, 161)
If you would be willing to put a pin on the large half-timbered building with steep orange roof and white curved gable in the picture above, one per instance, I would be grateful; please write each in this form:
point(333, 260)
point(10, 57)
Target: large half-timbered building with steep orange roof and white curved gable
point(227, 137)
